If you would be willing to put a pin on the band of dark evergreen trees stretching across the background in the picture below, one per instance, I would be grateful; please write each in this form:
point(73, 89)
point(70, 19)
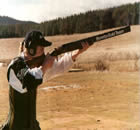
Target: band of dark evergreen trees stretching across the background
point(93, 20)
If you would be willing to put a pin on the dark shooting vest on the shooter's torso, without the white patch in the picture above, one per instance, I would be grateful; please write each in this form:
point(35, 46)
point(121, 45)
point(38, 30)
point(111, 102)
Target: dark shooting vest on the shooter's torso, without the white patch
point(22, 110)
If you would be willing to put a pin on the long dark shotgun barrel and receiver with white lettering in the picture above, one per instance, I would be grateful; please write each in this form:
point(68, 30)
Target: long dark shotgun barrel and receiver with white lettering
point(90, 40)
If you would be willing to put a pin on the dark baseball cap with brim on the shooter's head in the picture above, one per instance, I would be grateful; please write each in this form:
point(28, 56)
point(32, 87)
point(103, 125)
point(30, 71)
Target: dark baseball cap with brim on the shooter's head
point(35, 38)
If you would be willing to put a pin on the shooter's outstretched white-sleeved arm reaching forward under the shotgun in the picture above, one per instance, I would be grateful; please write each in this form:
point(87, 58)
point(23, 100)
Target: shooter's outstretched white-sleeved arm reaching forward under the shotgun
point(53, 67)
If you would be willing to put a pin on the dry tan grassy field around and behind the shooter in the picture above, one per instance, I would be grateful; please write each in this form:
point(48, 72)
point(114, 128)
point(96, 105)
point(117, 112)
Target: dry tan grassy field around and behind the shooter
point(88, 100)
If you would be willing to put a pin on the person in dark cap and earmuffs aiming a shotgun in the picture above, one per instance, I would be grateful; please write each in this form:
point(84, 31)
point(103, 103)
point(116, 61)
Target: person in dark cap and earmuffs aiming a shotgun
point(25, 74)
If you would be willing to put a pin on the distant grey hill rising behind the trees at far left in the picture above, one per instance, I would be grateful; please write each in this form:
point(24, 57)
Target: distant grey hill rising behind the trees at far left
point(5, 20)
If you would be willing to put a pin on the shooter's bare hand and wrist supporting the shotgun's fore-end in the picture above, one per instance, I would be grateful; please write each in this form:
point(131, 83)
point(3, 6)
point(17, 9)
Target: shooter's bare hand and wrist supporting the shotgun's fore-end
point(85, 47)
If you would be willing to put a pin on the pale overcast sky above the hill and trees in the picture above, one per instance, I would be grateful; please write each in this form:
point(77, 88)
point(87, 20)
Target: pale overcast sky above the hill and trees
point(43, 10)
